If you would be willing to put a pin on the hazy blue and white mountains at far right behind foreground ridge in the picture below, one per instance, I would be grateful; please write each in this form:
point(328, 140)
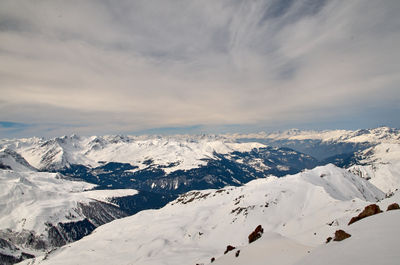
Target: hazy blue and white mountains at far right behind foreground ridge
point(371, 153)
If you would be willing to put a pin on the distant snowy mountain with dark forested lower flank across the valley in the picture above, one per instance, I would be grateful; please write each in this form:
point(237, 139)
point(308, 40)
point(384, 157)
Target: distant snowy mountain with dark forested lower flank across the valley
point(159, 164)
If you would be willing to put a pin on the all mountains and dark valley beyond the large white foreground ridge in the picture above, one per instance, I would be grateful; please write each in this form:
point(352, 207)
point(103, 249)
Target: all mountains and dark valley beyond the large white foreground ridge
point(59, 190)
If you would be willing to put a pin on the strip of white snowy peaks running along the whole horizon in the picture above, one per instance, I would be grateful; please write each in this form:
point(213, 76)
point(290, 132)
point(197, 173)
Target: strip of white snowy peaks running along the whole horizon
point(174, 152)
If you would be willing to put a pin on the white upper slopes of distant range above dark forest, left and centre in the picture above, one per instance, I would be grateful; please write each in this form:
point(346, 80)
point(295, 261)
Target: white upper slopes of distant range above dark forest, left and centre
point(184, 151)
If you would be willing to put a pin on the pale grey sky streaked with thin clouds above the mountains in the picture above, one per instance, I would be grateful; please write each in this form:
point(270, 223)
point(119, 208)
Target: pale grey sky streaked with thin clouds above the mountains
point(197, 66)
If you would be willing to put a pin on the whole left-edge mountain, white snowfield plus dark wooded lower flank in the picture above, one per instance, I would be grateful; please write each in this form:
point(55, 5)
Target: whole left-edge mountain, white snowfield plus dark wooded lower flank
point(40, 211)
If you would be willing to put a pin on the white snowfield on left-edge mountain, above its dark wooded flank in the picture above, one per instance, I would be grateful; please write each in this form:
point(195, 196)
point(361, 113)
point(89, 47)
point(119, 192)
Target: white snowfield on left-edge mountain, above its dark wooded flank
point(29, 200)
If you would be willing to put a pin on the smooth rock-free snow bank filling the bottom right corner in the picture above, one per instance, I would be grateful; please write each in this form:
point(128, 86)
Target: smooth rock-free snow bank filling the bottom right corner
point(374, 240)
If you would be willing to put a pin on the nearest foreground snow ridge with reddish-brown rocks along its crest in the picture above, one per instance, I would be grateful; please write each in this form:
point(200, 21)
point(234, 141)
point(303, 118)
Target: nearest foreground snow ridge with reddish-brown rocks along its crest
point(374, 240)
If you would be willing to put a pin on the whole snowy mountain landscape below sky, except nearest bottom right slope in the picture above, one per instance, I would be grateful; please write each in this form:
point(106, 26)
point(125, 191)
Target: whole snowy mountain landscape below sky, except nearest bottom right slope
point(213, 190)
